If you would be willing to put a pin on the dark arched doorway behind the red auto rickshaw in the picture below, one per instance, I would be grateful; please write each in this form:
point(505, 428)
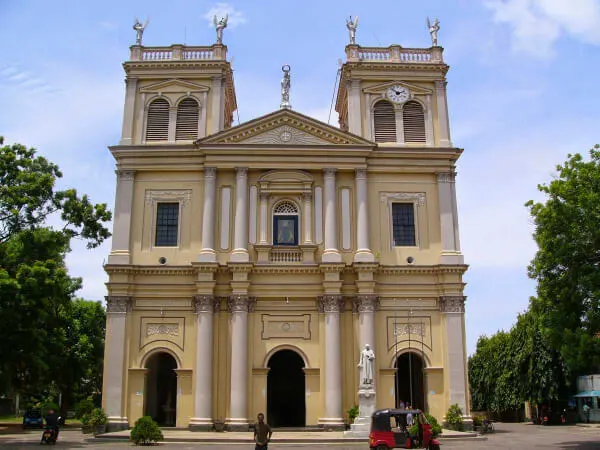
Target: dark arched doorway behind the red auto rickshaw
point(410, 380)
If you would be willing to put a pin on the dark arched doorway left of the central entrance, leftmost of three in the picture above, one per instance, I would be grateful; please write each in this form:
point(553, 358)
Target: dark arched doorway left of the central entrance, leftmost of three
point(161, 389)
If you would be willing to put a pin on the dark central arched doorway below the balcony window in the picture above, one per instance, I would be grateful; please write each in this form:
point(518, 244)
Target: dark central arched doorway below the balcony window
point(286, 402)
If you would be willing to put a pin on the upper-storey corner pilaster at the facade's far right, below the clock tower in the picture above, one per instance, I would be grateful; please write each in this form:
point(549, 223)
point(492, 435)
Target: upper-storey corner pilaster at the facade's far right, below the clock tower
point(450, 252)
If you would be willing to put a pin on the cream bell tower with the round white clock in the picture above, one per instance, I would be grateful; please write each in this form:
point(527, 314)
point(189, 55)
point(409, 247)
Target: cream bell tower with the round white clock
point(395, 96)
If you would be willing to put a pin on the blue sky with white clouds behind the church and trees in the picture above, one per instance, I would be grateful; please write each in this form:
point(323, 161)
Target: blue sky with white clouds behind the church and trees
point(522, 89)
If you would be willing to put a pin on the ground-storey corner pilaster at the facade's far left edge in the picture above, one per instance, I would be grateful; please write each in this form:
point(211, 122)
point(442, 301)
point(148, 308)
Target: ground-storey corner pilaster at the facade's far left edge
point(114, 372)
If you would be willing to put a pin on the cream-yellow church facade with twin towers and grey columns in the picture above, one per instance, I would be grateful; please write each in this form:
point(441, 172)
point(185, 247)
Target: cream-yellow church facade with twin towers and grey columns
point(251, 264)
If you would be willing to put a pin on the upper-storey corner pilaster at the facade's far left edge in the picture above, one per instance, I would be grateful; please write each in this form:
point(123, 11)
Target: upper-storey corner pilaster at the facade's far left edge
point(119, 253)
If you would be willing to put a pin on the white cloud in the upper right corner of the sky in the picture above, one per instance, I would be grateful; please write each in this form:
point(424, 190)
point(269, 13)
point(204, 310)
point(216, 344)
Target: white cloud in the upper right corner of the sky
point(538, 24)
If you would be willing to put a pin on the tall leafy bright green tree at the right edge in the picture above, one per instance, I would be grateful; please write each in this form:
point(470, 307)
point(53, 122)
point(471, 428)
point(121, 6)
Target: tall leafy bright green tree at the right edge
point(567, 263)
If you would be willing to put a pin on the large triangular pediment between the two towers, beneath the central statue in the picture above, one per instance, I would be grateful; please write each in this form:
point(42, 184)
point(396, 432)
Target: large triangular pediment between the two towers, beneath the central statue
point(285, 127)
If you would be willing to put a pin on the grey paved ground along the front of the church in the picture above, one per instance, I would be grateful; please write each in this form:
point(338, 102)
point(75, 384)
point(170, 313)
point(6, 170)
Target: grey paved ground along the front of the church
point(507, 436)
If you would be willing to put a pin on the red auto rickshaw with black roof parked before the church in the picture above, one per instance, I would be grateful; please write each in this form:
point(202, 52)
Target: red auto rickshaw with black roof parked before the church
point(390, 428)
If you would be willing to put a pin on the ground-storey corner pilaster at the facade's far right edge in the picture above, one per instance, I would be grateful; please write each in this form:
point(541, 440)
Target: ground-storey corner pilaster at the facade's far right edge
point(453, 313)
